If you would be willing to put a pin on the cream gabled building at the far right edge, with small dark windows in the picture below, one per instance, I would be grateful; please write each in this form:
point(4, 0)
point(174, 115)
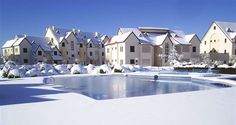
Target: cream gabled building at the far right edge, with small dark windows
point(220, 41)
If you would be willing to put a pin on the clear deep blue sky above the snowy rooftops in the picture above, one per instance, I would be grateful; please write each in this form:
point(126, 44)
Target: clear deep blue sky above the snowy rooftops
point(106, 16)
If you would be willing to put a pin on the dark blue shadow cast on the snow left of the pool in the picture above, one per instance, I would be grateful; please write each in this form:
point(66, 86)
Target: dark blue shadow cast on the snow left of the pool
point(23, 93)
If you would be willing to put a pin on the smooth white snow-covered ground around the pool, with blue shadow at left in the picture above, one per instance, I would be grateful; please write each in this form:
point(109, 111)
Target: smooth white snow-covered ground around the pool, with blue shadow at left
point(27, 101)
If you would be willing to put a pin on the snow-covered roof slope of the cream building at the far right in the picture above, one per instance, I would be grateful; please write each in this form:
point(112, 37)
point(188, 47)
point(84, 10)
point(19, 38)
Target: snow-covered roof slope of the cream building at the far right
point(229, 28)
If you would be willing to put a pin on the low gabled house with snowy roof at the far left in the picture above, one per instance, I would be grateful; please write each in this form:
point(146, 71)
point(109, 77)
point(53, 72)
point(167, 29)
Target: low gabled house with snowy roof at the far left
point(27, 50)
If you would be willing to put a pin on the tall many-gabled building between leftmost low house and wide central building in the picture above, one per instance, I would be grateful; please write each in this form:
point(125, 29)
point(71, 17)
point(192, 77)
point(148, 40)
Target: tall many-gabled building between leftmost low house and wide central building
point(77, 46)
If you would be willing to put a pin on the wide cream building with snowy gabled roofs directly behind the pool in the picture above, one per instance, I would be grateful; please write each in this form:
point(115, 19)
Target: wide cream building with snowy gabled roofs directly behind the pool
point(145, 45)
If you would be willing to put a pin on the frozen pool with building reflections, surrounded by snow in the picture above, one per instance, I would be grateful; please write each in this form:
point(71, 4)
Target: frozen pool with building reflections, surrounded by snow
point(120, 86)
